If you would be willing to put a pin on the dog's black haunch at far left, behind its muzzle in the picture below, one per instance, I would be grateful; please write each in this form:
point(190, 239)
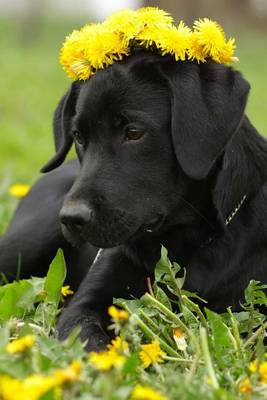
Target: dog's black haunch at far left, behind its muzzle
point(34, 234)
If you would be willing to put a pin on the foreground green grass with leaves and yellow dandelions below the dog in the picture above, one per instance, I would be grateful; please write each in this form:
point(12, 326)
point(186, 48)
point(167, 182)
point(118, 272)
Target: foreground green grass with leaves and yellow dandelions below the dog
point(196, 355)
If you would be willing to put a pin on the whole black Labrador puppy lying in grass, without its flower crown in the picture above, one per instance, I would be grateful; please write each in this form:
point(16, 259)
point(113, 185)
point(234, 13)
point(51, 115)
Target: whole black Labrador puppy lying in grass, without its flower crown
point(166, 156)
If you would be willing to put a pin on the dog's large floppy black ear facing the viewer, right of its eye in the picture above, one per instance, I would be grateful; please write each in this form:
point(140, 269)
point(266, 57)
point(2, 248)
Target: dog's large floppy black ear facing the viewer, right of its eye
point(208, 102)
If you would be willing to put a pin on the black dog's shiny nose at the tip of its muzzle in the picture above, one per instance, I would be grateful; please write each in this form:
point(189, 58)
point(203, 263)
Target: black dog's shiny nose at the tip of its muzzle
point(75, 216)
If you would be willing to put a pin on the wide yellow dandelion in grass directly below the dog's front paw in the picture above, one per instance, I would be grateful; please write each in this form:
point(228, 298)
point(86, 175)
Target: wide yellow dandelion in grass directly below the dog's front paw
point(106, 360)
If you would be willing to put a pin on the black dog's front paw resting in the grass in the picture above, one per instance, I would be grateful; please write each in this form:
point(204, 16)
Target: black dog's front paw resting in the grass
point(92, 333)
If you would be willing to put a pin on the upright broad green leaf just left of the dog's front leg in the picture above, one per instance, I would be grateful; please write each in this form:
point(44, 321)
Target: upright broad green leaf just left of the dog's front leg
point(55, 278)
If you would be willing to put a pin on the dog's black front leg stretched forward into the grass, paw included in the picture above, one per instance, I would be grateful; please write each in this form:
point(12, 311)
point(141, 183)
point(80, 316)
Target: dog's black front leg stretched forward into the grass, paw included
point(115, 273)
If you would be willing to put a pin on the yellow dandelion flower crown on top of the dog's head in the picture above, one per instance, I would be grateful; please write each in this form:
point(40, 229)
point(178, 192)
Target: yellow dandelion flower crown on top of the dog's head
point(96, 46)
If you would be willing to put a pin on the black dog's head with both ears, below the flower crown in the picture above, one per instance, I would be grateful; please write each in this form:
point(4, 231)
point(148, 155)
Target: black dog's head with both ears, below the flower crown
point(144, 129)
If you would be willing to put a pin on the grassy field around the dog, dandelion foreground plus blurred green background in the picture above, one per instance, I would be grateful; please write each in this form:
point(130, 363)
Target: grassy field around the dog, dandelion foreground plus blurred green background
point(195, 356)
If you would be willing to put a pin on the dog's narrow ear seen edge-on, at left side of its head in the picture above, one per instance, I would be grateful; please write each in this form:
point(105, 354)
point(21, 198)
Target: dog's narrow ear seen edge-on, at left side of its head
point(61, 124)
